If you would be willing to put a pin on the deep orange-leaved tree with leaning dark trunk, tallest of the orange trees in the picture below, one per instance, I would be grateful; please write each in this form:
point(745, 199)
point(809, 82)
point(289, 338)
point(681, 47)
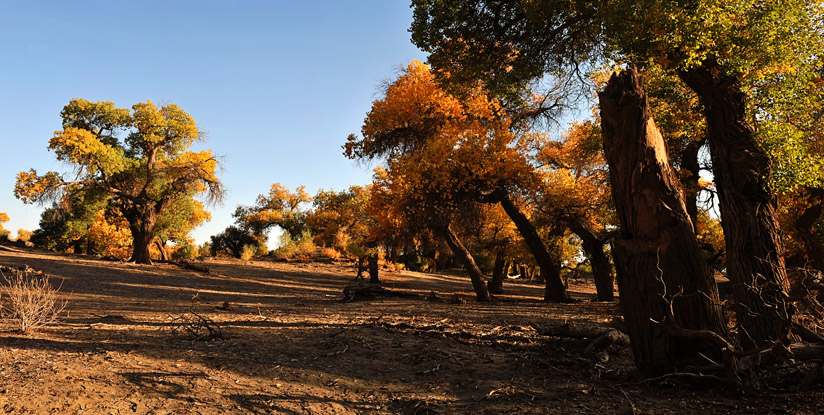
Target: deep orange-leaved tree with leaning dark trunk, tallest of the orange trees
point(462, 146)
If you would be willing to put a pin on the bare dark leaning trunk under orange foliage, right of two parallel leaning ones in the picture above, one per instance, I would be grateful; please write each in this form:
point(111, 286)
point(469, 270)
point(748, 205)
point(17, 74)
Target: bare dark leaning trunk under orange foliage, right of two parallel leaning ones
point(550, 267)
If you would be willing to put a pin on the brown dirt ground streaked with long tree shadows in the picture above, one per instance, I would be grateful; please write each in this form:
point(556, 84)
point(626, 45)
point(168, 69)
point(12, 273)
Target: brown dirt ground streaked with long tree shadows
point(292, 347)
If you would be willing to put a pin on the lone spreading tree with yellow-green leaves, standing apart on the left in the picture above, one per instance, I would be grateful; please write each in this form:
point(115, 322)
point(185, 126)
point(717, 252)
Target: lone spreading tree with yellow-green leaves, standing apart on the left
point(139, 159)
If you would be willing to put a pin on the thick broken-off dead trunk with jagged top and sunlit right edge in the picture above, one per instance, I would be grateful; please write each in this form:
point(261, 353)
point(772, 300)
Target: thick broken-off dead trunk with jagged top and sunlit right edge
point(661, 273)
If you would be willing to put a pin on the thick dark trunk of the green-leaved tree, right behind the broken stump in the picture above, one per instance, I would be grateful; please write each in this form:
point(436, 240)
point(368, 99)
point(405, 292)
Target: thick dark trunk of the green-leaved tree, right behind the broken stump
point(755, 250)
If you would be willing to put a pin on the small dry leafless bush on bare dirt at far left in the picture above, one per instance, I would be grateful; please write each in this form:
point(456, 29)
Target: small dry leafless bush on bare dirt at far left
point(30, 300)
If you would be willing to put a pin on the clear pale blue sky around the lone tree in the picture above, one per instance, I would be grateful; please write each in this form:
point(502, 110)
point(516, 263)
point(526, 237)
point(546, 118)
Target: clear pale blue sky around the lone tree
point(277, 85)
